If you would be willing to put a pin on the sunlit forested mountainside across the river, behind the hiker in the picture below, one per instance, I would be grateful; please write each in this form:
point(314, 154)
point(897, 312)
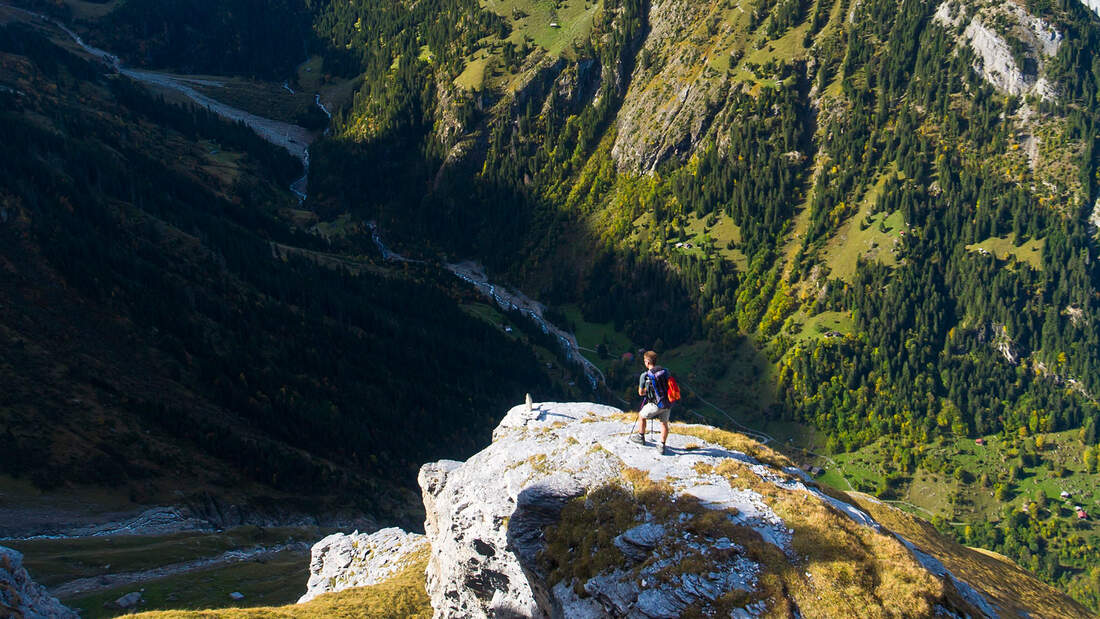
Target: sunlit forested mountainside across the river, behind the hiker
point(920, 175)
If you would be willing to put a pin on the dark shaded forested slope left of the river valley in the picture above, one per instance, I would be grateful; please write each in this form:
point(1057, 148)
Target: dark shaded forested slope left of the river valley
point(166, 326)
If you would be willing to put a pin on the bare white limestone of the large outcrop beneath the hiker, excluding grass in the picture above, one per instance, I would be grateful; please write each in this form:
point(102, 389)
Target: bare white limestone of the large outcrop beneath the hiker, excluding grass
point(488, 517)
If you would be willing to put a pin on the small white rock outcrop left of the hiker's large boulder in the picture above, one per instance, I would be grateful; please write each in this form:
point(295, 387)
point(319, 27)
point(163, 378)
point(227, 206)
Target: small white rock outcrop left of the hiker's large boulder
point(342, 561)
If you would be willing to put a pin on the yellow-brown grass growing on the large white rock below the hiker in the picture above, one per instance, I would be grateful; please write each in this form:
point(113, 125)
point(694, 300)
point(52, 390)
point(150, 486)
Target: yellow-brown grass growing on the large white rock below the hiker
point(841, 569)
